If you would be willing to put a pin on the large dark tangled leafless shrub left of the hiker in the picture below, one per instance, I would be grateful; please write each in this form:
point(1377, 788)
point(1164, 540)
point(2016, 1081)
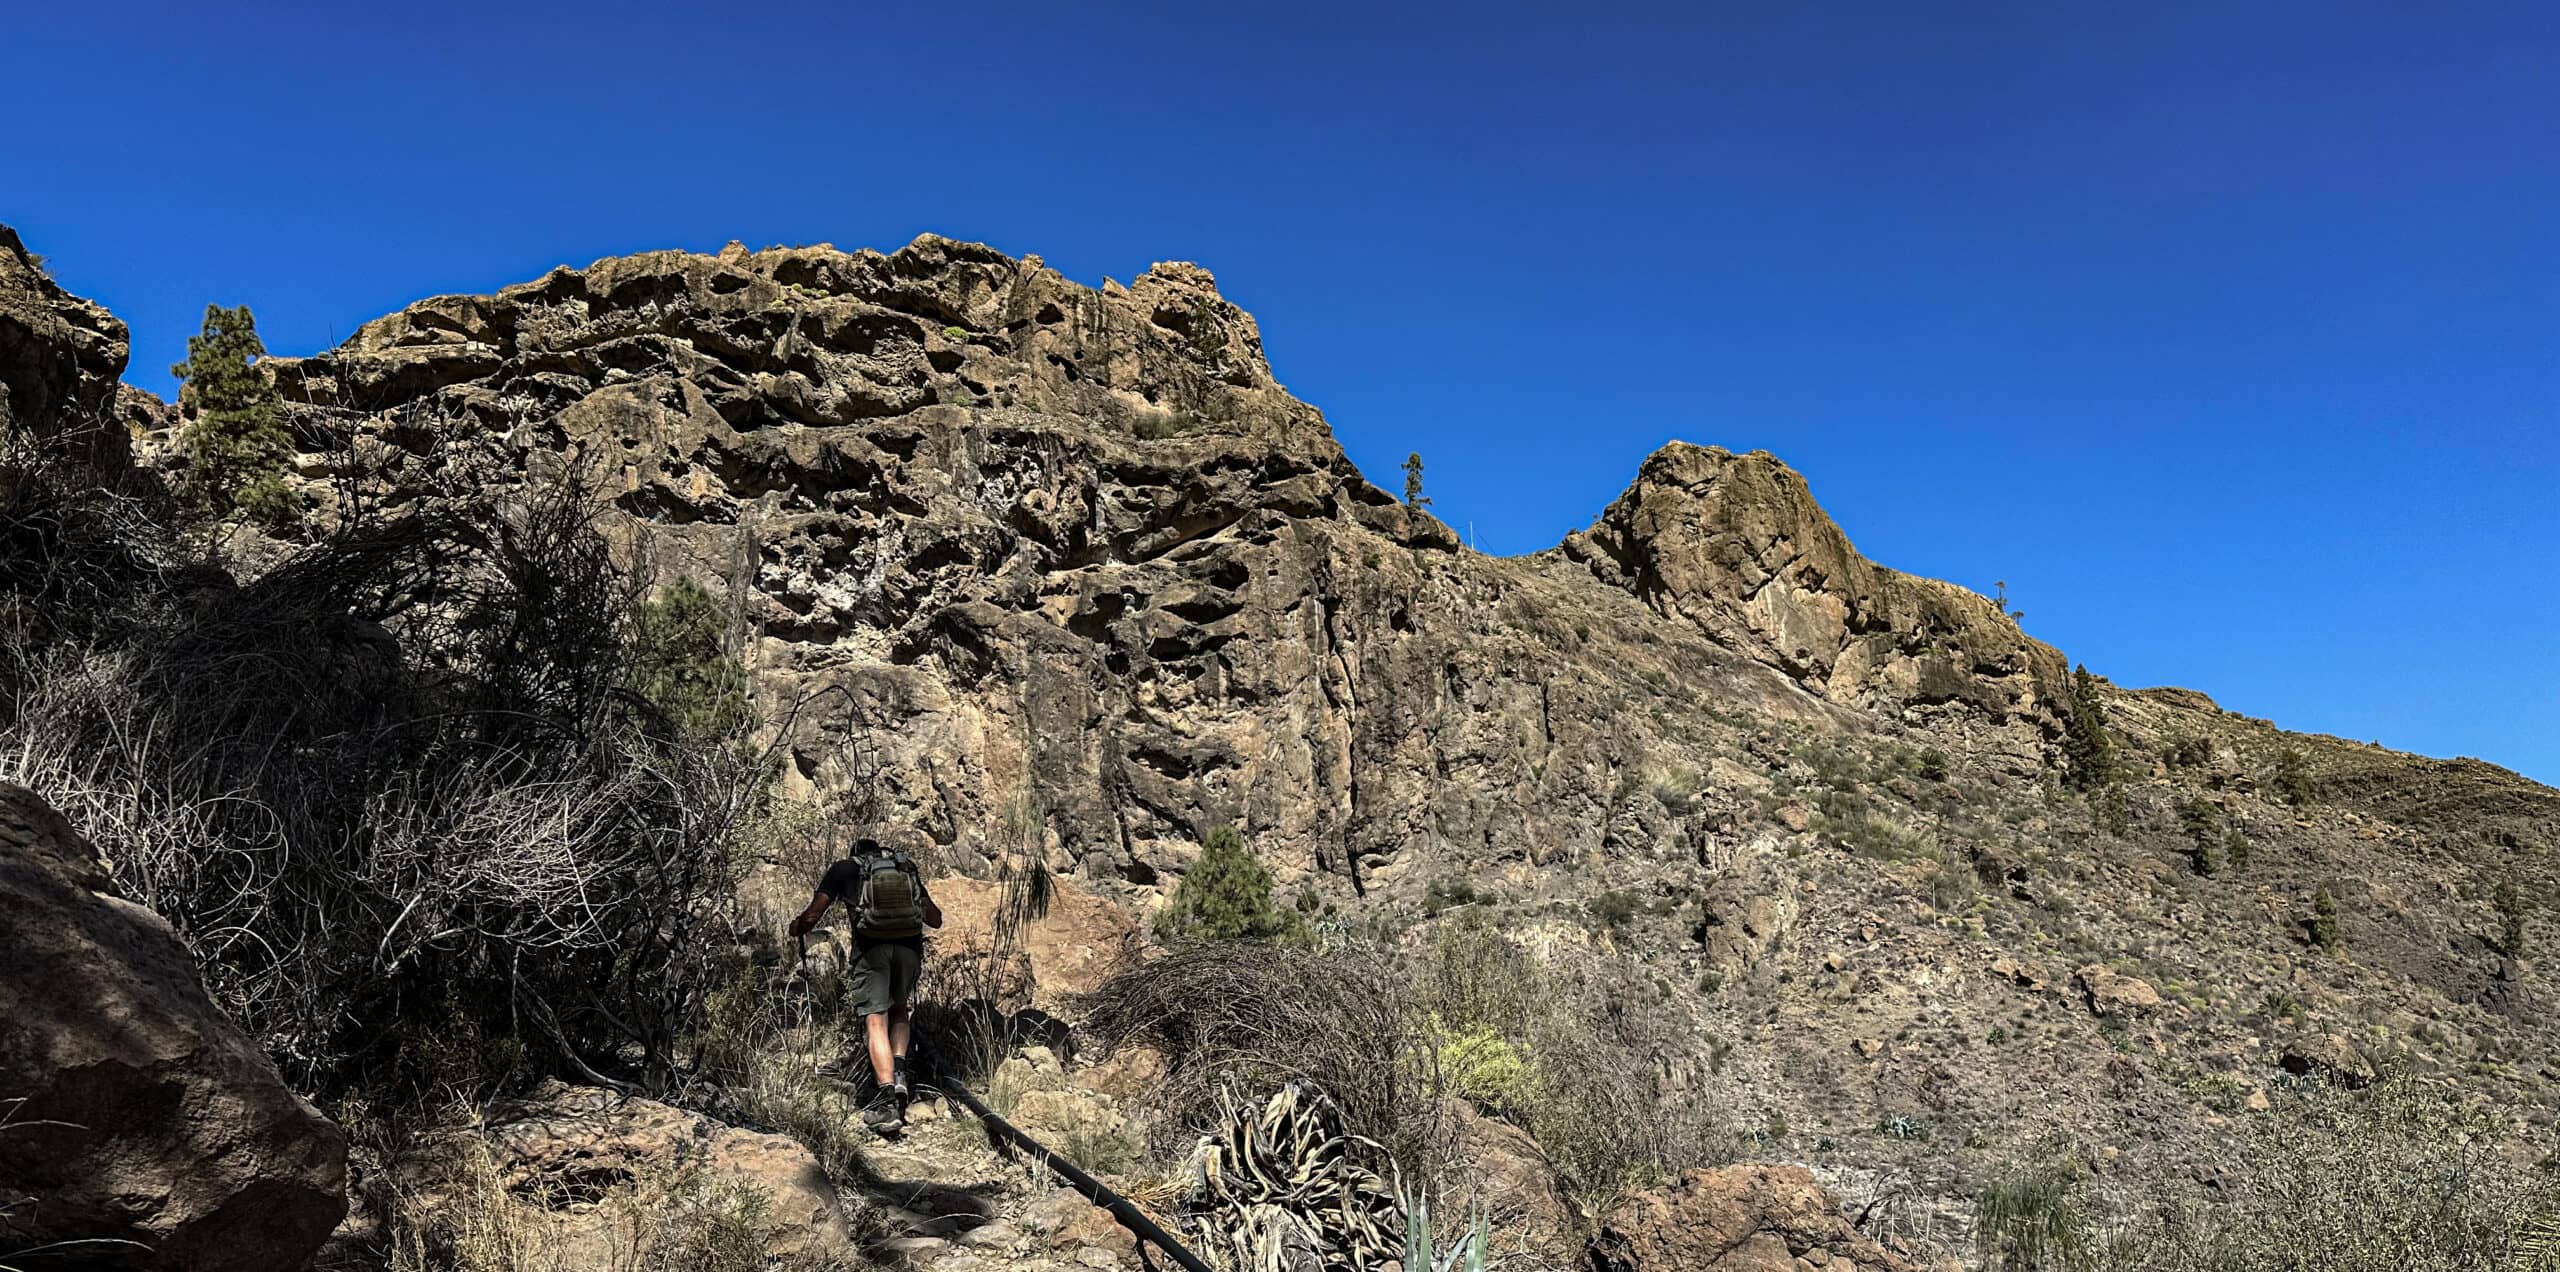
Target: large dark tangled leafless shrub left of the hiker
point(396, 790)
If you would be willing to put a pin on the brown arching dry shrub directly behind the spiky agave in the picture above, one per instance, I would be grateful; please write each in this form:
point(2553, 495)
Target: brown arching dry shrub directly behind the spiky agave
point(1258, 1020)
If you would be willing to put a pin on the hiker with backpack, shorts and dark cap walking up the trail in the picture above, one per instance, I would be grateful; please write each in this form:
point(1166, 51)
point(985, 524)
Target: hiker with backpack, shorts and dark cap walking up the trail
point(890, 910)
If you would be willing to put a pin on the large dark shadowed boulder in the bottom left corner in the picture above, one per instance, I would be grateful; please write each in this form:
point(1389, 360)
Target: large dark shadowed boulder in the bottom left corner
point(132, 1112)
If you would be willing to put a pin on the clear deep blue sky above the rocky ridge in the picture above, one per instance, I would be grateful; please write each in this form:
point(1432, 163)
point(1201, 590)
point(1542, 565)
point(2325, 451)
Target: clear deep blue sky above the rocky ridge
point(2226, 334)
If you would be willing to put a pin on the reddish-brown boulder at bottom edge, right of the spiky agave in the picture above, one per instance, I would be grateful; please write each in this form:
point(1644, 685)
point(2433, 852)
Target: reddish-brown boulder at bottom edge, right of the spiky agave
point(1750, 1217)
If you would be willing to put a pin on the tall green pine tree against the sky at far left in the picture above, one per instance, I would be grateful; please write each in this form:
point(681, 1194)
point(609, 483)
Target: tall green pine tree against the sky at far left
point(237, 439)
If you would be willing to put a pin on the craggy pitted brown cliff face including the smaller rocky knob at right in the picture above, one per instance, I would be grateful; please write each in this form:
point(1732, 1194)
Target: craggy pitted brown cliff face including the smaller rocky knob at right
point(1074, 549)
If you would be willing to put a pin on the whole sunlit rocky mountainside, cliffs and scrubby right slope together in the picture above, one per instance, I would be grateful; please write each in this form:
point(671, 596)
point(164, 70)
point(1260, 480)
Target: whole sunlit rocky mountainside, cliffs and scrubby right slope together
point(1010, 546)
